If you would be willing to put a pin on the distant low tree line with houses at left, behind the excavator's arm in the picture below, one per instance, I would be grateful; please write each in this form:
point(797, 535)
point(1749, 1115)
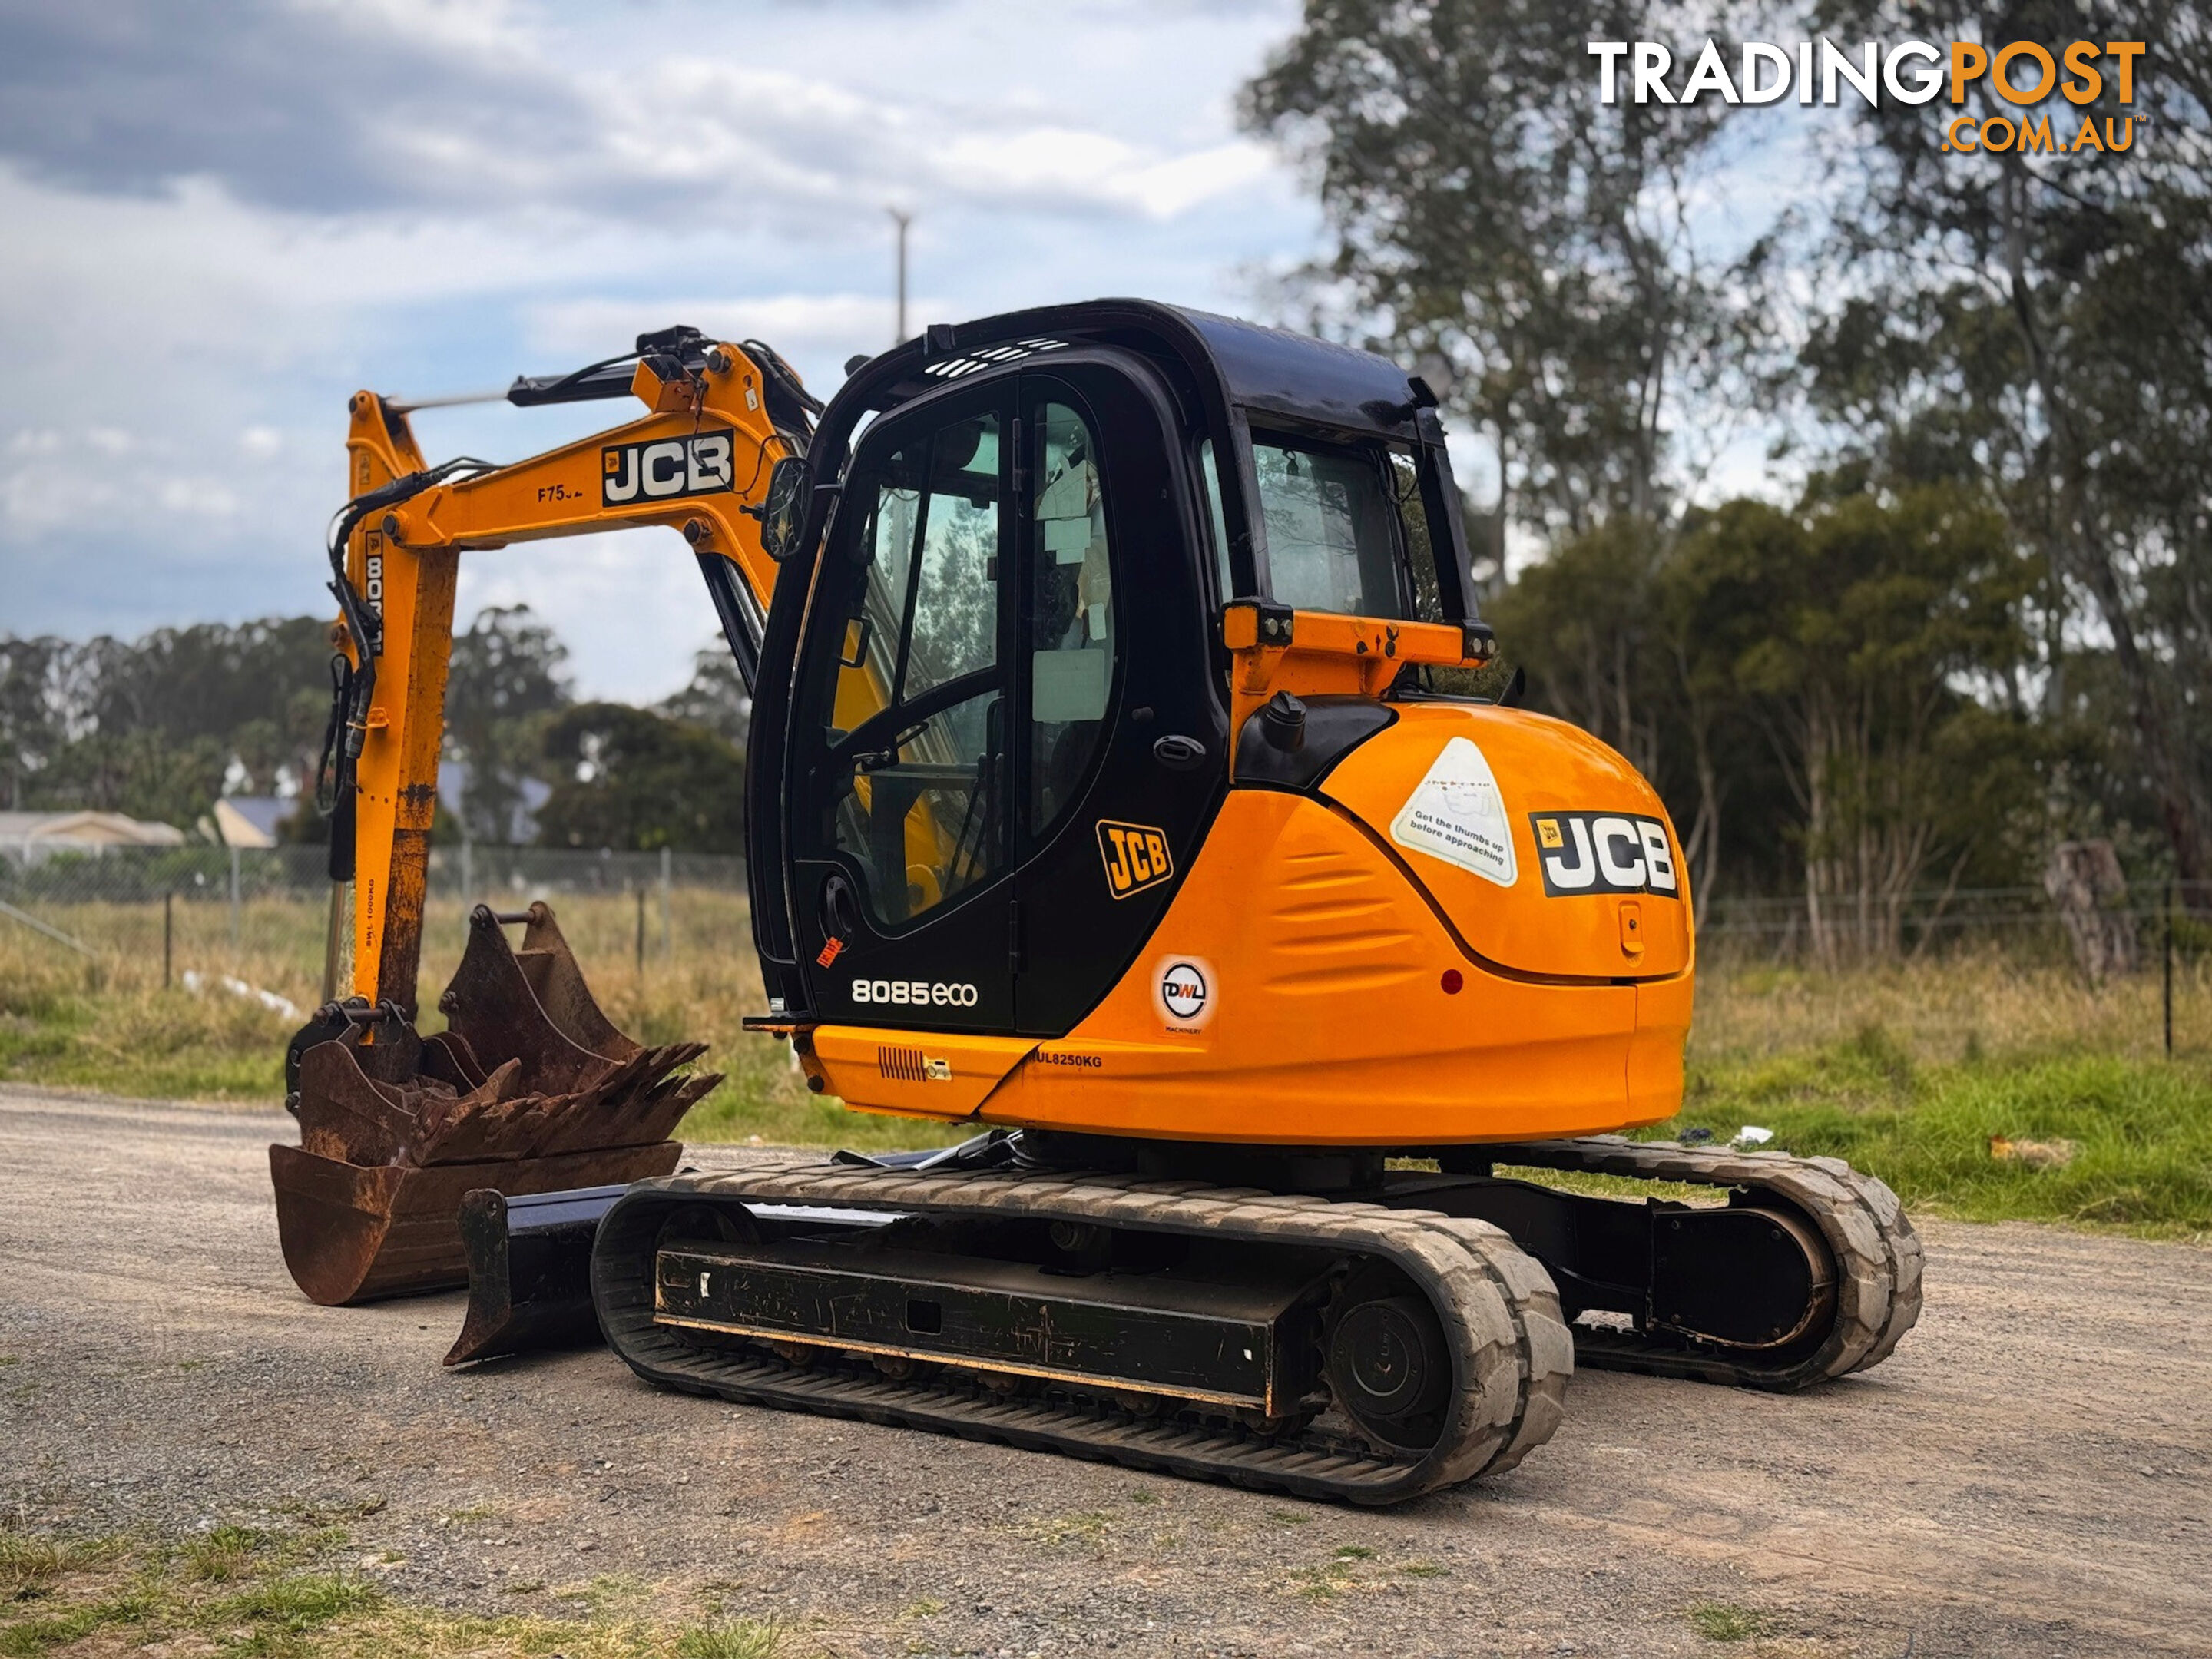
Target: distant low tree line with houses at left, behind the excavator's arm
point(165, 727)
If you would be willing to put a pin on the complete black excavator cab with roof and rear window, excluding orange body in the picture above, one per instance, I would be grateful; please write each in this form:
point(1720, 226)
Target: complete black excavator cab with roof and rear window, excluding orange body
point(1010, 716)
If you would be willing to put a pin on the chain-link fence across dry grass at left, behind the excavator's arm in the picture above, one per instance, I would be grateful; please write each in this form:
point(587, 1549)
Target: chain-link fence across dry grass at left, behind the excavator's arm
point(143, 917)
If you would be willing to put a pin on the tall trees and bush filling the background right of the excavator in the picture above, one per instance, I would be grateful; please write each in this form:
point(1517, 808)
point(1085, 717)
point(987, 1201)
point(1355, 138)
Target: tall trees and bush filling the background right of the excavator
point(1979, 620)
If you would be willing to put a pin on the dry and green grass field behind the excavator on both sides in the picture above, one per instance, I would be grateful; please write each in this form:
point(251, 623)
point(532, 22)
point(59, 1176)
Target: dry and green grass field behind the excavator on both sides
point(1906, 1072)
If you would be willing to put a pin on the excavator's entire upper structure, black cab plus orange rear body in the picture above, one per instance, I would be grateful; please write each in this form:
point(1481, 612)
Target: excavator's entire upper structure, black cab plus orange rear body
point(1107, 638)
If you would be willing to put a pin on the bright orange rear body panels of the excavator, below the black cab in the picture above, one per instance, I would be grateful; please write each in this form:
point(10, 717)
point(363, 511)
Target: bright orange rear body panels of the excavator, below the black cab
point(1324, 959)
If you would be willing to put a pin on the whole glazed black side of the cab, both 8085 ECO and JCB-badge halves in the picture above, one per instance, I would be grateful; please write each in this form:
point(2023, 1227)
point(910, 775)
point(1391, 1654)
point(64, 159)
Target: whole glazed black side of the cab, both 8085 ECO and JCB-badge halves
point(1005, 645)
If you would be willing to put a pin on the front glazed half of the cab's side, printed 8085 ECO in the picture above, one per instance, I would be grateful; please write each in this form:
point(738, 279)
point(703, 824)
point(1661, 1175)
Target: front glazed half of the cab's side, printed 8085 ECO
point(901, 769)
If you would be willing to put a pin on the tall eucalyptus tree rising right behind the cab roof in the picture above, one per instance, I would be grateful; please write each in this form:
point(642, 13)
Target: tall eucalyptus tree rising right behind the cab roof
point(1496, 218)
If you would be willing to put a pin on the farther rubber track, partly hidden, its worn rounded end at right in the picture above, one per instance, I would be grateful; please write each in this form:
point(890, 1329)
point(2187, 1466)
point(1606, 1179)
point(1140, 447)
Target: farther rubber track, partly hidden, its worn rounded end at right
point(1861, 1220)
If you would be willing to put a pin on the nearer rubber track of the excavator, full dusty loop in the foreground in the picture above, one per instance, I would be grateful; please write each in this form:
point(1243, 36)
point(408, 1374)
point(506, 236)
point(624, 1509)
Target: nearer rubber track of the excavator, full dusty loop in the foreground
point(1501, 1315)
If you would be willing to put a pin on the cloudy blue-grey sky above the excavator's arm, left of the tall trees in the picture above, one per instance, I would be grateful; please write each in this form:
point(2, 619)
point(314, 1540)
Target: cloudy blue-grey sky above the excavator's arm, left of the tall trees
point(225, 220)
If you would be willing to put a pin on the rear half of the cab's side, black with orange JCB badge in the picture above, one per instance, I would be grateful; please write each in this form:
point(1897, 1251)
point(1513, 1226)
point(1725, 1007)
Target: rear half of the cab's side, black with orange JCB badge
point(1120, 735)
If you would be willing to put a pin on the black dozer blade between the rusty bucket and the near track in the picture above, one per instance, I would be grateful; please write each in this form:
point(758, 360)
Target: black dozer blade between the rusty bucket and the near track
point(530, 1271)
